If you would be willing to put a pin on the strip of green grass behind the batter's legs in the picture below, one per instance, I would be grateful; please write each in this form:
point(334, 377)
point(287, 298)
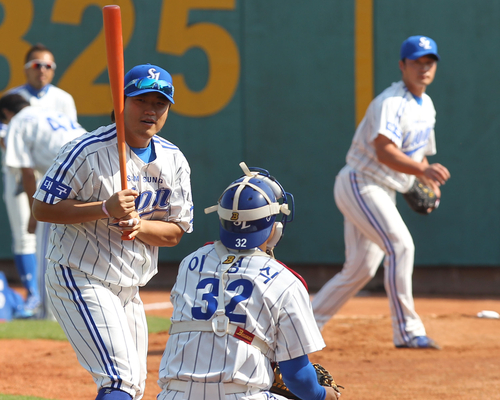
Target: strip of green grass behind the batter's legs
point(41, 329)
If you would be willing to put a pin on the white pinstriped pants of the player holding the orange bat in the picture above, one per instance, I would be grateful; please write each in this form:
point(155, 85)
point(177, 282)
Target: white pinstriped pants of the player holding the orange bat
point(105, 324)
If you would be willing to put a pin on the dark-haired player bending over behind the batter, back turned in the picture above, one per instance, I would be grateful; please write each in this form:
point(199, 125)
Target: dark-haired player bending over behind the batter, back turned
point(35, 136)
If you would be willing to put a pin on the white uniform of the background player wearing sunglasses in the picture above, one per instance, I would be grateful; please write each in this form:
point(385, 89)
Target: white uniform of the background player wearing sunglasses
point(16, 202)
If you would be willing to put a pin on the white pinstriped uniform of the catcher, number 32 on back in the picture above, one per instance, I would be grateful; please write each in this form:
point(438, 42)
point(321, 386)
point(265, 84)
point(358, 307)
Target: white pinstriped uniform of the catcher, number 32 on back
point(261, 296)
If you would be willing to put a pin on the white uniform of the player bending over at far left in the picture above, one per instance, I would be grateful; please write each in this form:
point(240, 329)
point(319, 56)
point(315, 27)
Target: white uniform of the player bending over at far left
point(35, 136)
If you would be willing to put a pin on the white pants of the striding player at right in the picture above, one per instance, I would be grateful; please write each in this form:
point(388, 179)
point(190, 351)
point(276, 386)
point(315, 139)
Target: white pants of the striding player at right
point(373, 228)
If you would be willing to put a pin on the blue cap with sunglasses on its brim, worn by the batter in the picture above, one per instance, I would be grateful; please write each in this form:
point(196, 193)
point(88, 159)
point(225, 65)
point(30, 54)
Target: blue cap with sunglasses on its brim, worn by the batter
point(148, 78)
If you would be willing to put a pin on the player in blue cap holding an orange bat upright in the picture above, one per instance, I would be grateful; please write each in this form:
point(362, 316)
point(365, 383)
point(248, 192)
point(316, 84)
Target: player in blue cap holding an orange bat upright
point(93, 275)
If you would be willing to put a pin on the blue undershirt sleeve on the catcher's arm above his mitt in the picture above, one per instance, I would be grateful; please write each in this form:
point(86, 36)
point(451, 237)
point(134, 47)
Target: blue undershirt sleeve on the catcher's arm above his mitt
point(300, 377)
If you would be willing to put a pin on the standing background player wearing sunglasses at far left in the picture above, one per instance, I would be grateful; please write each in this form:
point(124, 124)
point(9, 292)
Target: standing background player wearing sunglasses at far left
point(38, 90)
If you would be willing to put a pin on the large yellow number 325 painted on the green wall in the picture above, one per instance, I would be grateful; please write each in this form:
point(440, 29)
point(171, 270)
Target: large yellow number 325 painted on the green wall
point(175, 37)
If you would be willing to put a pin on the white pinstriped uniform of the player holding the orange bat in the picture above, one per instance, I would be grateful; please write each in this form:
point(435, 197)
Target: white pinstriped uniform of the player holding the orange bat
point(93, 276)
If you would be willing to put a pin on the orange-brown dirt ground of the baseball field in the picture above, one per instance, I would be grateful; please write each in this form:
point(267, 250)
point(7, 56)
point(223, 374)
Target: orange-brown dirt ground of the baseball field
point(359, 354)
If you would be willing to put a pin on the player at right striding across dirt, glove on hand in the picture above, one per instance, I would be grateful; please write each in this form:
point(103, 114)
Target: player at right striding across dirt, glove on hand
point(389, 150)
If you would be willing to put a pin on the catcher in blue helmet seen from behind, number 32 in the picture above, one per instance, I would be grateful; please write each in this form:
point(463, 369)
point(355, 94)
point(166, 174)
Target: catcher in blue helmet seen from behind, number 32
point(238, 311)
